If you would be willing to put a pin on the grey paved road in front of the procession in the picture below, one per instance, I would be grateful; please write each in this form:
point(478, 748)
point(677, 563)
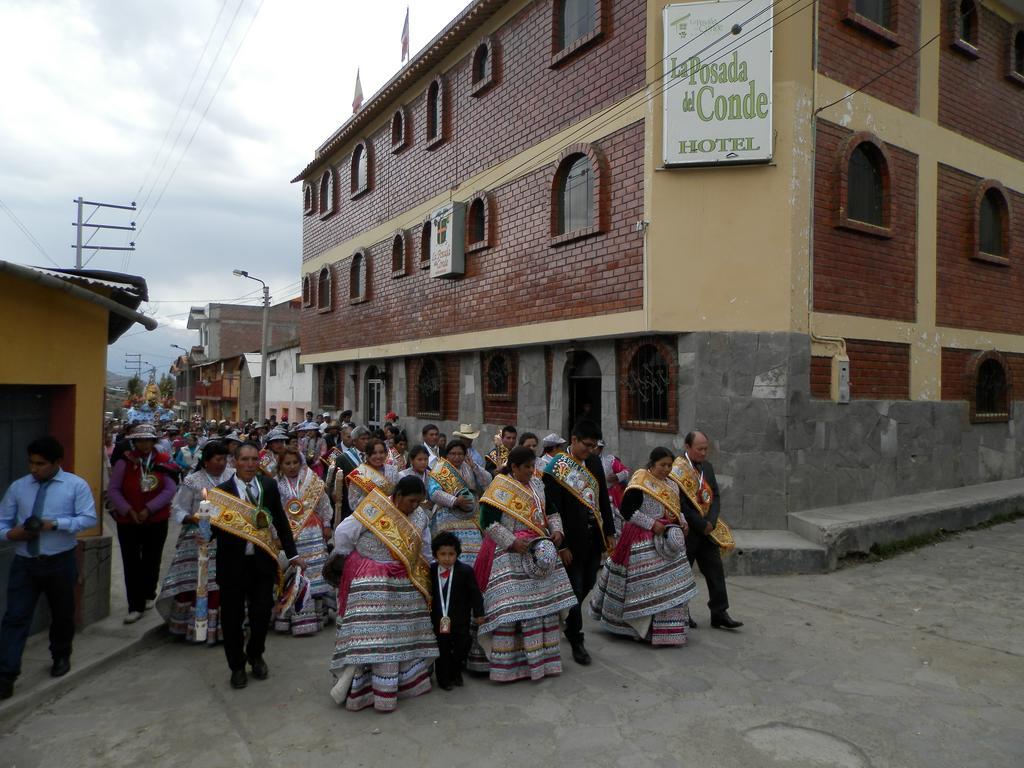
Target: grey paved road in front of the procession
point(915, 662)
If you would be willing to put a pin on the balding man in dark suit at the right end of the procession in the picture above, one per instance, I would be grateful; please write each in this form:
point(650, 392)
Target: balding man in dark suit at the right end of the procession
point(700, 546)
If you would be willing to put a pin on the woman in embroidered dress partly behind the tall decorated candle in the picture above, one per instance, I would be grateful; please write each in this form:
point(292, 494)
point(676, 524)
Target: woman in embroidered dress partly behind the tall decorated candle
point(177, 603)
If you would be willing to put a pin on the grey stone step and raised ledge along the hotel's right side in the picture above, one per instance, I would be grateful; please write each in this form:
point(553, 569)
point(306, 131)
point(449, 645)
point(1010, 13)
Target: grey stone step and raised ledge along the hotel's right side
point(819, 538)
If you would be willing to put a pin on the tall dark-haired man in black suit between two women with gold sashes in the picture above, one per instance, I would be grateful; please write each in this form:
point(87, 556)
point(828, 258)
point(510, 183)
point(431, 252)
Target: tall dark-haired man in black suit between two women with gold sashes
point(583, 546)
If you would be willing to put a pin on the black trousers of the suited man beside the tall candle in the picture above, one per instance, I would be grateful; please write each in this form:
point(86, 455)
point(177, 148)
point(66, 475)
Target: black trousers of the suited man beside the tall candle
point(252, 588)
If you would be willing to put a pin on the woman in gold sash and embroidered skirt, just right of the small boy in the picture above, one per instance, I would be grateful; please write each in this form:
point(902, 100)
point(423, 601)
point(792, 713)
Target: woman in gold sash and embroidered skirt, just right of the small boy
point(524, 606)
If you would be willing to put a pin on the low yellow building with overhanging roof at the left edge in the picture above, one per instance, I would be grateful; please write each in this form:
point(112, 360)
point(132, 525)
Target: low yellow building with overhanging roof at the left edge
point(56, 326)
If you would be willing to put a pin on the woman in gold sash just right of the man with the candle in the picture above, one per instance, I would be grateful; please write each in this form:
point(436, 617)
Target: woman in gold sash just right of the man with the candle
point(310, 515)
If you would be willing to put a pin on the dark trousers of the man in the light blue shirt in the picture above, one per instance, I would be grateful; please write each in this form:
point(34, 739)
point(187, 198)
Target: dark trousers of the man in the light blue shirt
point(28, 580)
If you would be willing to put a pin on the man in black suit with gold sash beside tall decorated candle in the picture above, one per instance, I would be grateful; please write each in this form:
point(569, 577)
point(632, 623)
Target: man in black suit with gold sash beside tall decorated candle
point(246, 574)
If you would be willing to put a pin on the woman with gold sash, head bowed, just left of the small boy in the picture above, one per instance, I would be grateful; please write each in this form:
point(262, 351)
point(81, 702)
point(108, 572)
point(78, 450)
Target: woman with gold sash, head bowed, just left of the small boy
point(386, 643)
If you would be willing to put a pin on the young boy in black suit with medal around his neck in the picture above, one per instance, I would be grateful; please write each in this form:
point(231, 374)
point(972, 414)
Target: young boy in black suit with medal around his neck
point(455, 595)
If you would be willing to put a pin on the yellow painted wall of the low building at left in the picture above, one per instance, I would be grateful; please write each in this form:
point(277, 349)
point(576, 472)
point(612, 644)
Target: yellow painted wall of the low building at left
point(52, 338)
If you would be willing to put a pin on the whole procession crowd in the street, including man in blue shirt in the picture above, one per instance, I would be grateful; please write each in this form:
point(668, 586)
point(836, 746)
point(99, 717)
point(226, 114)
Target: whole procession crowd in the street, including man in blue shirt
point(430, 559)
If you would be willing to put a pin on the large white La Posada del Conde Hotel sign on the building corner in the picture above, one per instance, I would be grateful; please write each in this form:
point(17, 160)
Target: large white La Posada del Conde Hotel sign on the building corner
point(718, 82)
